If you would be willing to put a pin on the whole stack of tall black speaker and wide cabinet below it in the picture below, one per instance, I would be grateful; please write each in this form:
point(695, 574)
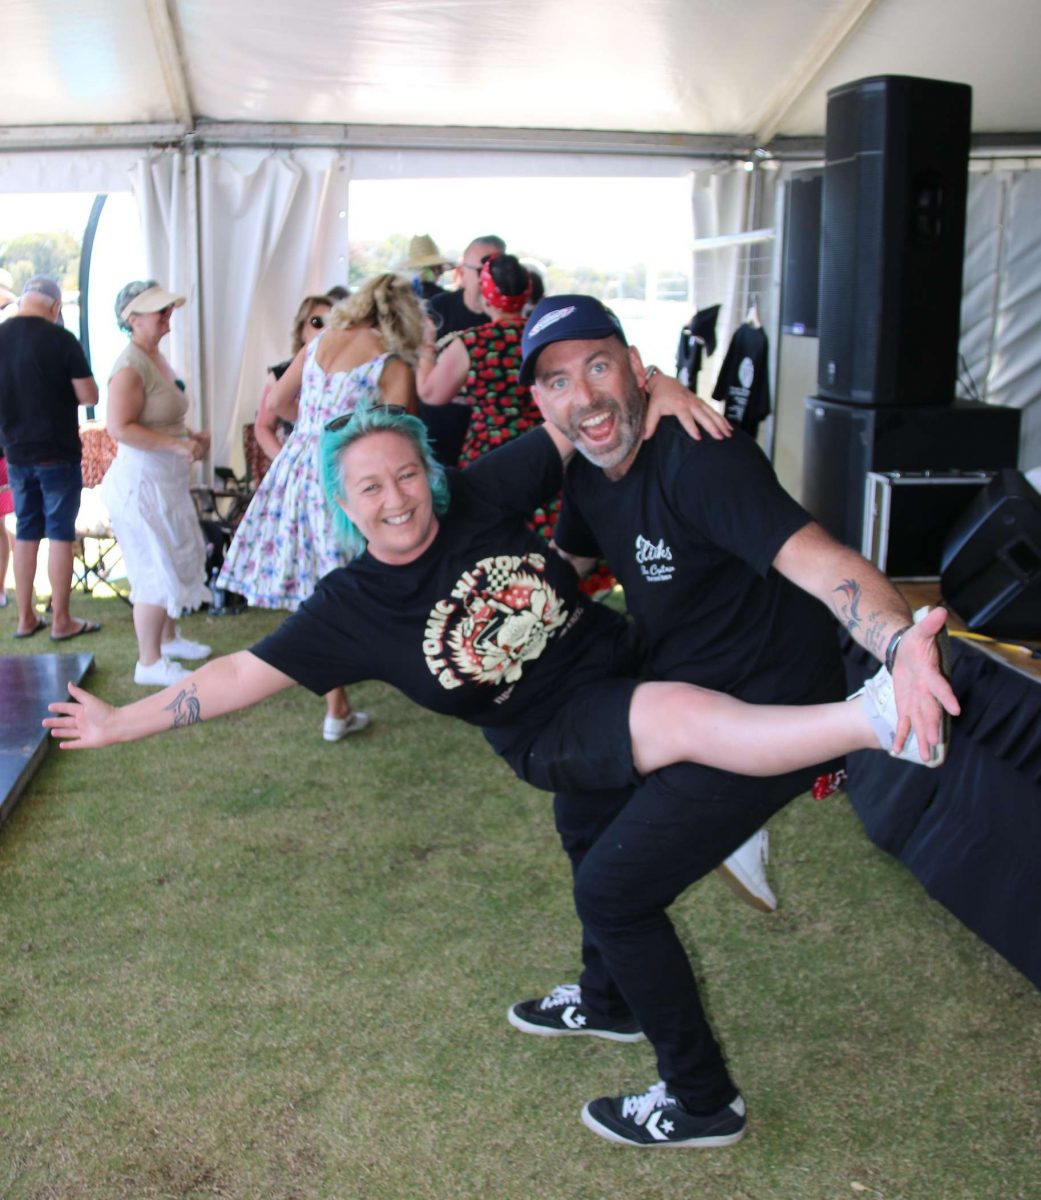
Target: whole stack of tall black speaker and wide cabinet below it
point(893, 231)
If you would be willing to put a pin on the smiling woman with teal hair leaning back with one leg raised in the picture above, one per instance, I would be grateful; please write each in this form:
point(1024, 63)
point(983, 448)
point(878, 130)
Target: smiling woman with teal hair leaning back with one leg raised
point(454, 601)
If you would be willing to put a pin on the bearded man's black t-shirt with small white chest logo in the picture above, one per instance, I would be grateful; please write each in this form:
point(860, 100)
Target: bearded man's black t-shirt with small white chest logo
point(690, 532)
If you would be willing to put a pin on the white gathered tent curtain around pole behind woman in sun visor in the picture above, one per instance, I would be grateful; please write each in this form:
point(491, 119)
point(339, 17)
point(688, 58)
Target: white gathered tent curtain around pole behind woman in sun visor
point(270, 229)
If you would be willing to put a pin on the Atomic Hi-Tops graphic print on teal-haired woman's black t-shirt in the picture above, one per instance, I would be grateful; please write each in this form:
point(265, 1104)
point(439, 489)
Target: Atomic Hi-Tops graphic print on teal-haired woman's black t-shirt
point(502, 615)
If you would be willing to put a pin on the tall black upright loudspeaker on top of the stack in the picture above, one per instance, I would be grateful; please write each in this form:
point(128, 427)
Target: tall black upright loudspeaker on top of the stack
point(893, 241)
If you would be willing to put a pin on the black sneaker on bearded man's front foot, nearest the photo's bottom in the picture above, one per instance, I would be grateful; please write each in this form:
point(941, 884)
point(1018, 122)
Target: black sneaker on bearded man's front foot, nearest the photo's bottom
point(658, 1119)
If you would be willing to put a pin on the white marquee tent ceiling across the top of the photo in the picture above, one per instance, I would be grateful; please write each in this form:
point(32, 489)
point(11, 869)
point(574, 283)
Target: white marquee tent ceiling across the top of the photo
point(743, 73)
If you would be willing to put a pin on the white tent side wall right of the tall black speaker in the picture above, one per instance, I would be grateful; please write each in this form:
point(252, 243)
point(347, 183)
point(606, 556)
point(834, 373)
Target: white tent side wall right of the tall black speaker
point(1002, 297)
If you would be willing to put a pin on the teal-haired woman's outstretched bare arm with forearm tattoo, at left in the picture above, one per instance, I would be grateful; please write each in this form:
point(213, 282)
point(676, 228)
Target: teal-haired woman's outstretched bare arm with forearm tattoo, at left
point(234, 682)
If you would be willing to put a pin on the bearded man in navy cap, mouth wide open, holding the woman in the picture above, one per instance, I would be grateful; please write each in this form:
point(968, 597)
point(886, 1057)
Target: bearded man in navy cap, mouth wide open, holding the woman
point(723, 574)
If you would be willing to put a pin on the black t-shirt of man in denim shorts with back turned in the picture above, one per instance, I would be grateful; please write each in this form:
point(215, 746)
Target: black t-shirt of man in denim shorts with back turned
point(39, 407)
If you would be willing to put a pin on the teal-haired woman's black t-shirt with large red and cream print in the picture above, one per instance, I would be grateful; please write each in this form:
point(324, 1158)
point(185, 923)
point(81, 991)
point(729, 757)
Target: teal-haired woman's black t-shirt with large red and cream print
point(488, 625)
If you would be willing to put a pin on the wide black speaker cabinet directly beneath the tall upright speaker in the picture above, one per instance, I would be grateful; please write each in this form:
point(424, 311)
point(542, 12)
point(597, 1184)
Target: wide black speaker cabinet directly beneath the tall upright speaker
point(843, 443)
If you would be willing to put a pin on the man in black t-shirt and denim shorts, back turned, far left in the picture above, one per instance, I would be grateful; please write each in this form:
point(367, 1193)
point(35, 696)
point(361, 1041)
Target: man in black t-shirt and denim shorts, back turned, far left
point(45, 377)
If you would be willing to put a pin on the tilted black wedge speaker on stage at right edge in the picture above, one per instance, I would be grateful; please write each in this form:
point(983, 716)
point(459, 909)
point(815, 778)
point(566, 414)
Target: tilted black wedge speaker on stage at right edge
point(991, 568)
